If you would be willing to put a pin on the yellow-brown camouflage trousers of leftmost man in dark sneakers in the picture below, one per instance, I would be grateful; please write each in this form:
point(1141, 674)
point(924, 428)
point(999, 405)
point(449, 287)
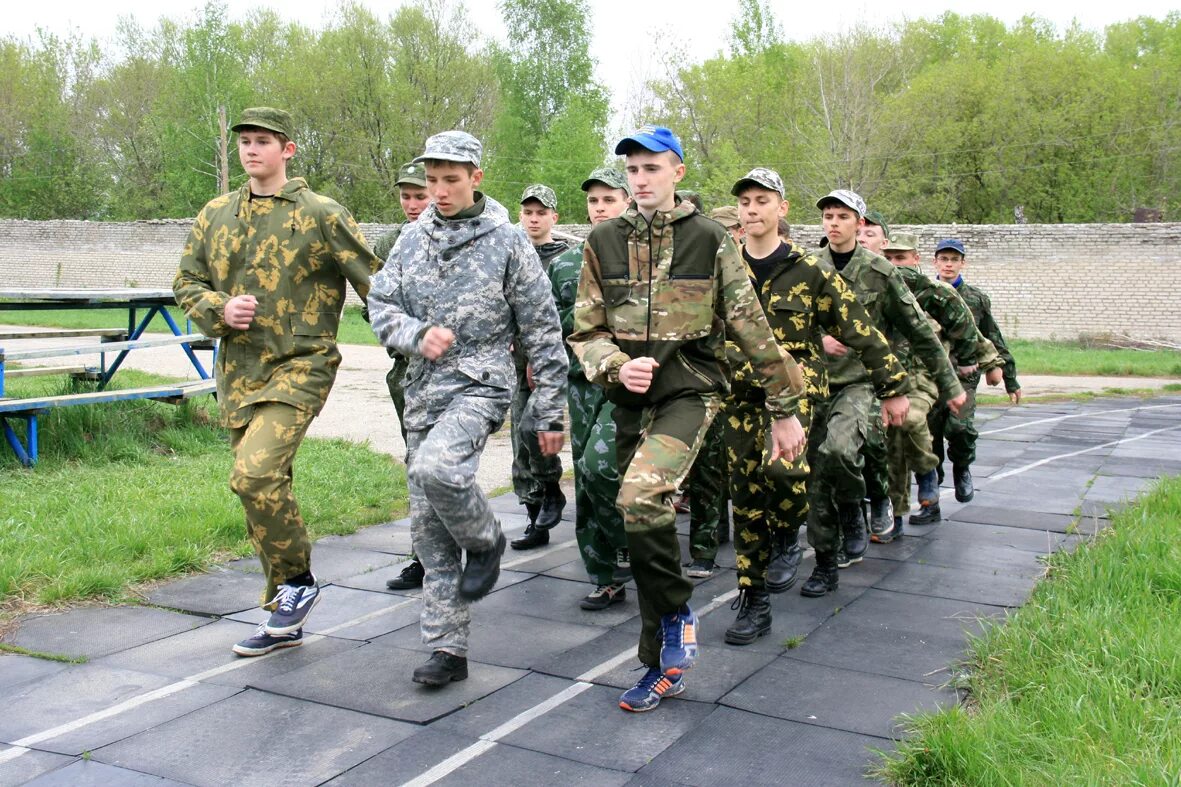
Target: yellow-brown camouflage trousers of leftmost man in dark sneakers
point(264, 454)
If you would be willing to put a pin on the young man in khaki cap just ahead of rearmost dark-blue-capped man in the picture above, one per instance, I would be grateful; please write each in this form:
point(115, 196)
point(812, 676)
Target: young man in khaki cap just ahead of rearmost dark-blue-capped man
point(910, 445)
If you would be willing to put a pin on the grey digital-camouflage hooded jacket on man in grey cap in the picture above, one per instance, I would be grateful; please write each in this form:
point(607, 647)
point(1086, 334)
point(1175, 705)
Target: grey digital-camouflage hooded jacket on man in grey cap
point(479, 277)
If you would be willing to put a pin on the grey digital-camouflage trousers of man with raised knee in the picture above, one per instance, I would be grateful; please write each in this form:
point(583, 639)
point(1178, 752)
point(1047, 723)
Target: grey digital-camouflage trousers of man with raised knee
point(449, 515)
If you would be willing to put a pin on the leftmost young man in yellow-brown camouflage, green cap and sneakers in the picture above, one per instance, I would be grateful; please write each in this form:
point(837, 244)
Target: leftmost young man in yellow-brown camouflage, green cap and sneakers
point(265, 270)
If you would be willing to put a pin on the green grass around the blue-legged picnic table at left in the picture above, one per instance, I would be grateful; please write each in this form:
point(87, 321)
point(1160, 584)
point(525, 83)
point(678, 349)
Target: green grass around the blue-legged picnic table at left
point(134, 492)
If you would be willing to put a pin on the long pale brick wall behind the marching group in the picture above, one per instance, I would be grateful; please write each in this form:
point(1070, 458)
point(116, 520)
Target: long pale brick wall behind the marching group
point(1046, 281)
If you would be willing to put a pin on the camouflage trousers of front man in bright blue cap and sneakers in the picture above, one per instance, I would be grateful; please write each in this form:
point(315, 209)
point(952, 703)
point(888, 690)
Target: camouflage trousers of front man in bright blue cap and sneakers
point(657, 446)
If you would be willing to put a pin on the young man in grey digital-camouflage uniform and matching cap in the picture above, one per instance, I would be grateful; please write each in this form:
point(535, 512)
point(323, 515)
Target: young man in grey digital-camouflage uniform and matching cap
point(462, 287)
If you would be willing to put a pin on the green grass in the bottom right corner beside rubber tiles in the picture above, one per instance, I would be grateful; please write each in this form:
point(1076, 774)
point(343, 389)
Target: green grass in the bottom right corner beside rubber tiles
point(1082, 686)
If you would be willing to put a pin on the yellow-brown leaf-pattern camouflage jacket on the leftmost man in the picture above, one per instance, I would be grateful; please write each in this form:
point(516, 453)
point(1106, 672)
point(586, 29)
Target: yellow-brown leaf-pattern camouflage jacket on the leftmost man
point(293, 252)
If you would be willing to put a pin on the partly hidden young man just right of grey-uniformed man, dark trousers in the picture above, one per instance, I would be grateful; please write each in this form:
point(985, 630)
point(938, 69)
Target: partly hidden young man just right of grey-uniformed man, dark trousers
point(537, 478)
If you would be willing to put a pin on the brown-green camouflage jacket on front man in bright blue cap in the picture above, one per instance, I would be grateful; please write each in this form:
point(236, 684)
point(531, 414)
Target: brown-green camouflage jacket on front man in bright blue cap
point(674, 290)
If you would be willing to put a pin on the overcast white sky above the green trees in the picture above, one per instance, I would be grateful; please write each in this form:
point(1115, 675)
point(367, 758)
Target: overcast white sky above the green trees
point(623, 48)
